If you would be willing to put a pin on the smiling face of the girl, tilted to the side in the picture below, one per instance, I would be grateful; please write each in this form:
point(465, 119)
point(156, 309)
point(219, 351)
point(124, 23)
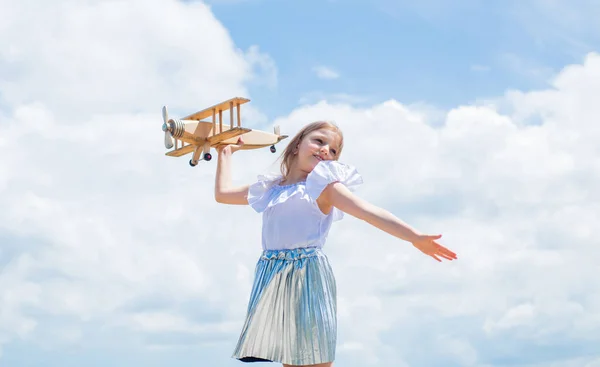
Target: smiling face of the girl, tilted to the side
point(317, 146)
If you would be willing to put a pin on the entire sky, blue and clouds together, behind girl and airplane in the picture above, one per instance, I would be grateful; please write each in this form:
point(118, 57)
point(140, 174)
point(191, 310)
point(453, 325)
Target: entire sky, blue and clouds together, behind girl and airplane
point(482, 116)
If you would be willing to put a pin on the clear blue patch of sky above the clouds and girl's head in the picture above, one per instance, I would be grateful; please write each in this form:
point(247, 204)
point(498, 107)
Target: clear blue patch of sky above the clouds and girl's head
point(433, 53)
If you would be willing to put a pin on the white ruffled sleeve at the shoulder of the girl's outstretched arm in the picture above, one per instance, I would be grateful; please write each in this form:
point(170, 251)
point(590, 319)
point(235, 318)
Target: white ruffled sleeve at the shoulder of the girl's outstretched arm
point(327, 172)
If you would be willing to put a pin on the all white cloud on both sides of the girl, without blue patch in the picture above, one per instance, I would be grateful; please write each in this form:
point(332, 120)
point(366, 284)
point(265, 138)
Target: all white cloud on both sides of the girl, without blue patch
point(105, 240)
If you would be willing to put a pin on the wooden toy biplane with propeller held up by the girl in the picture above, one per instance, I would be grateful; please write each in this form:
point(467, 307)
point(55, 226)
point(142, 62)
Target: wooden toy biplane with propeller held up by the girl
point(200, 136)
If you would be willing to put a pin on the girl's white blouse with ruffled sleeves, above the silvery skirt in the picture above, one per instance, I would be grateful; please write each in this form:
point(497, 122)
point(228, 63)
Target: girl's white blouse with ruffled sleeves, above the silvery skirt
point(291, 215)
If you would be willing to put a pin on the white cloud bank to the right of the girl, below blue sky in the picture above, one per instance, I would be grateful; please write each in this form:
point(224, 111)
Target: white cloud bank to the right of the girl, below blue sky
point(513, 186)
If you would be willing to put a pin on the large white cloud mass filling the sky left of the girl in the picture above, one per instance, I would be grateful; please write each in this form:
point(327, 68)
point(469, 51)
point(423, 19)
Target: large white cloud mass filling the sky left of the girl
point(98, 226)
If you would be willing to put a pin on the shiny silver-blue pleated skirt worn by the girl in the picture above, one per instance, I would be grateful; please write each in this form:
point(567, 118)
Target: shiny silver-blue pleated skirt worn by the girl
point(291, 316)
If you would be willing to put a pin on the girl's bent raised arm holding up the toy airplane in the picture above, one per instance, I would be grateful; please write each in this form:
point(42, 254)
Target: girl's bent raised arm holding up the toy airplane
point(225, 193)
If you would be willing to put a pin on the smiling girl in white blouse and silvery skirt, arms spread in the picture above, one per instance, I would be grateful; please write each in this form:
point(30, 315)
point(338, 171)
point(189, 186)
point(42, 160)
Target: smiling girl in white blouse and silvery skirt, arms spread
point(291, 315)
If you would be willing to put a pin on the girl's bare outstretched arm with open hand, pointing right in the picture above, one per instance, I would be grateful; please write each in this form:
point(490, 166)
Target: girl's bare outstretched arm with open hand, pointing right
point(338, 195)
